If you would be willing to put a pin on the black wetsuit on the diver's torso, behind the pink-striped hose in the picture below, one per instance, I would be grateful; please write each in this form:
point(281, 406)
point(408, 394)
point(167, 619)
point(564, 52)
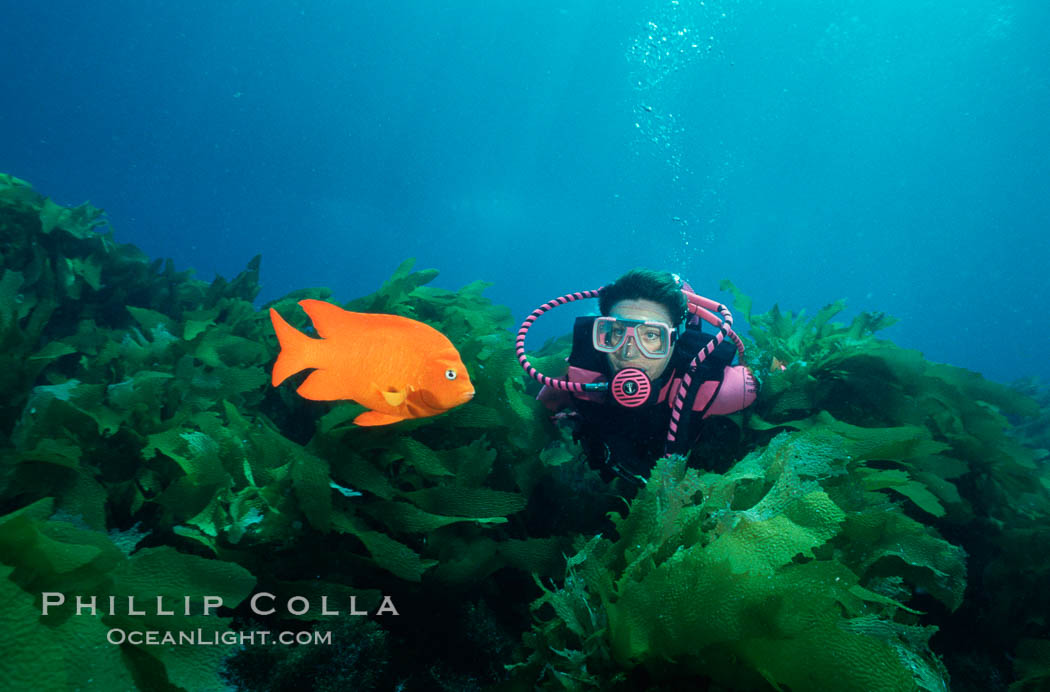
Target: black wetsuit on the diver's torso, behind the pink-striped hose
point(626, 443)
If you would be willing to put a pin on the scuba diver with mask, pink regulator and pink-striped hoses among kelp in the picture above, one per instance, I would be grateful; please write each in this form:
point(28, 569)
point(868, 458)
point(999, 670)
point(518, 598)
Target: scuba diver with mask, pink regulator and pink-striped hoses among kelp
point(643, 378)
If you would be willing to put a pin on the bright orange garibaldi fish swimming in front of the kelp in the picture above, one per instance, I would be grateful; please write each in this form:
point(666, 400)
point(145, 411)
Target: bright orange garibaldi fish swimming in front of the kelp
point(397, 367)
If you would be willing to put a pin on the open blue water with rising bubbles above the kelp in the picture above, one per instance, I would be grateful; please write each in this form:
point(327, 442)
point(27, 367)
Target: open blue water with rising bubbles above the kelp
point(894, 154)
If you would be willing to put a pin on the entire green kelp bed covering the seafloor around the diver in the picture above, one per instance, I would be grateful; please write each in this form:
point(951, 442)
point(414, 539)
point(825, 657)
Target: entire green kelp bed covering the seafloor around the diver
point(143, 453)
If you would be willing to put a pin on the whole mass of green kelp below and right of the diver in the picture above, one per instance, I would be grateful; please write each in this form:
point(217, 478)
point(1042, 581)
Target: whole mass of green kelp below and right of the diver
point(885, 518)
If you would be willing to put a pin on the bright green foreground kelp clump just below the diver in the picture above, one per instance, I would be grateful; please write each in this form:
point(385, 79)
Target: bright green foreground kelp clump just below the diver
point(771, 573)
